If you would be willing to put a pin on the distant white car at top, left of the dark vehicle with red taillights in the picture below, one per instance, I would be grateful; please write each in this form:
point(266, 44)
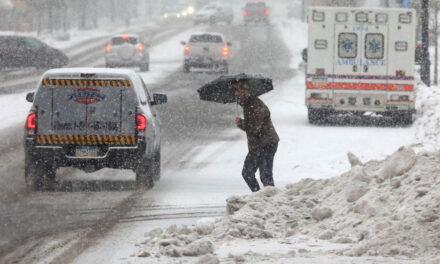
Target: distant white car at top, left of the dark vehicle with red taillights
point(214, 13)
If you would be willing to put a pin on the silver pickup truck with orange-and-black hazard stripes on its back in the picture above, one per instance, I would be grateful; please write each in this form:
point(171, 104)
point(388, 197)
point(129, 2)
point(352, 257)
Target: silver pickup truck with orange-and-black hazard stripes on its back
point(91, 118)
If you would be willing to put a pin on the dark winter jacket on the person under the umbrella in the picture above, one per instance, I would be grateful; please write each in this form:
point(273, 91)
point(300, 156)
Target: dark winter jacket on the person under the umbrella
point(257, 124)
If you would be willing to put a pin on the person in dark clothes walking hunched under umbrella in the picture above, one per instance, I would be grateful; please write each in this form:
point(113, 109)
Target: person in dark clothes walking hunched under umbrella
point(261, 136)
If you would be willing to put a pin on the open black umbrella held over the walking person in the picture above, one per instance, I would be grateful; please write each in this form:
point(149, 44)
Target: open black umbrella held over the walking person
point(219, 90)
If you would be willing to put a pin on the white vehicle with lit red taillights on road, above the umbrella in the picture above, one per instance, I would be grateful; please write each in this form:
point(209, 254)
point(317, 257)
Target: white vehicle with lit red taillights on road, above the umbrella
point(208, 51)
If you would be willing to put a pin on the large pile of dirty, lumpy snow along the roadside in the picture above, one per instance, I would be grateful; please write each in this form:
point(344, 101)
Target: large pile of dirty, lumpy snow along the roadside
point(381, 208)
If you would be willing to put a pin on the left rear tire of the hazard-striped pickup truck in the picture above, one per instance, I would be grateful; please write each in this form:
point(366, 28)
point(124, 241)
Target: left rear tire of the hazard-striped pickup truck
point(39, 175)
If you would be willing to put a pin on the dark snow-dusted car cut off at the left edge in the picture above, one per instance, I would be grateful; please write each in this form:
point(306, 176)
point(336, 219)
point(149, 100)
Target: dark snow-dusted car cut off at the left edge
point(25, 51)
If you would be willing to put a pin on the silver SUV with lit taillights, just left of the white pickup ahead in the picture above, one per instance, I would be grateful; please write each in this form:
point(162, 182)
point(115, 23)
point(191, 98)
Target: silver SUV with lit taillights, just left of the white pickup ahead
point(127, 51)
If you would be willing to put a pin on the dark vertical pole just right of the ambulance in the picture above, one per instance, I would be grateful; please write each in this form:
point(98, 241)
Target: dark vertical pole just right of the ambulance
point(426, 64)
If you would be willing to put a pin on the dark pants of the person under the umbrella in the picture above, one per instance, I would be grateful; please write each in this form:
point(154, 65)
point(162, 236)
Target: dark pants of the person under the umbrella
point(262, 159)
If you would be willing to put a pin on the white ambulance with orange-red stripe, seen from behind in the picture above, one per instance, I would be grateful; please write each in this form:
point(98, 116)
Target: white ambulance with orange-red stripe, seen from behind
point(361, 61)
